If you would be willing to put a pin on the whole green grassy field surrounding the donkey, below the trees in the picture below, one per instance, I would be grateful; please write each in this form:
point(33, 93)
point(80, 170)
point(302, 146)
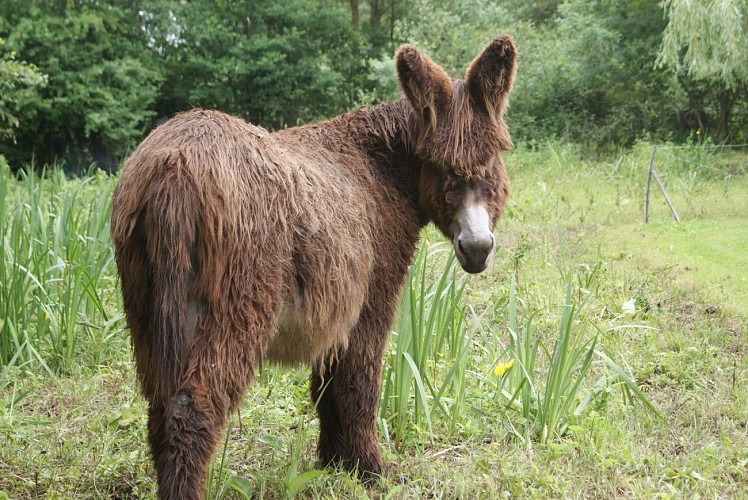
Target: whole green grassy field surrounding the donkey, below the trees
point(537, 383)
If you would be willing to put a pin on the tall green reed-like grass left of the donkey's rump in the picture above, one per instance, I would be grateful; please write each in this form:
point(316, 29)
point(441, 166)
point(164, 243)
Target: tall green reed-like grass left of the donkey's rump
point(56, 260)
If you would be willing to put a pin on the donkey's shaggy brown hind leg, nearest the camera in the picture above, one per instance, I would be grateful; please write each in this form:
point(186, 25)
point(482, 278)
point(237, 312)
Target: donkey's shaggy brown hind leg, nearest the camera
point(185, 429)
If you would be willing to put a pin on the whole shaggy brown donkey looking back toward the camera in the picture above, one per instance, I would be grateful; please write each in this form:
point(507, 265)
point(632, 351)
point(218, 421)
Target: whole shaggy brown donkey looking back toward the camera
point(237, 246)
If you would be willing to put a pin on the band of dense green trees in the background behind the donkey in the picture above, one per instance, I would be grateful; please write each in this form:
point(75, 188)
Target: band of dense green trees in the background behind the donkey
point(84, 80)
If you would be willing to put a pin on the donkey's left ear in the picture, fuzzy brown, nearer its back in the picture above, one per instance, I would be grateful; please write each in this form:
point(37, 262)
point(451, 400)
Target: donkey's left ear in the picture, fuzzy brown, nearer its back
point(426, 85)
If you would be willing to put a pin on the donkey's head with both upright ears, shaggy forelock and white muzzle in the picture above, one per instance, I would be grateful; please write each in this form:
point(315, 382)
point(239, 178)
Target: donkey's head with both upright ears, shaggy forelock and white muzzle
point(458, 133)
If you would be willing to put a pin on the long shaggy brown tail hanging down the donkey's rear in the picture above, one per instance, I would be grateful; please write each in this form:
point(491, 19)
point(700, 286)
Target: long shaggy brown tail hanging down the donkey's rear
point(154, 227)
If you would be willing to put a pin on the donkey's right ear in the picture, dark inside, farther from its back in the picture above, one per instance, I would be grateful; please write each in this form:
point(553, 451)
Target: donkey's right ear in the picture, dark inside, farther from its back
point(489, 77)
